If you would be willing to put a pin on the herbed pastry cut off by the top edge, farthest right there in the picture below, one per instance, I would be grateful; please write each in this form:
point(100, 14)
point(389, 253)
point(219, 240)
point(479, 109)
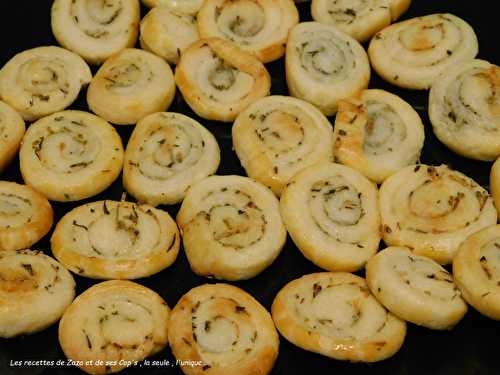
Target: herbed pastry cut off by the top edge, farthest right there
point(359, 19)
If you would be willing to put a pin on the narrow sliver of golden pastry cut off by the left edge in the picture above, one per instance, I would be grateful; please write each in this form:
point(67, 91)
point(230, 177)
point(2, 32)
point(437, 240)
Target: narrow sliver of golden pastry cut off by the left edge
point(11, 132)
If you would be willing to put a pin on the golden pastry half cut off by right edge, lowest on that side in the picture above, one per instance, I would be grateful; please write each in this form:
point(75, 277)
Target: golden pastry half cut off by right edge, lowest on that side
point(476, 270)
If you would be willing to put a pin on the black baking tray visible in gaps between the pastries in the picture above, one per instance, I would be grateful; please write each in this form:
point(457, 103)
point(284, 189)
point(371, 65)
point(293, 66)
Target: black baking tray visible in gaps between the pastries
point(470, 348)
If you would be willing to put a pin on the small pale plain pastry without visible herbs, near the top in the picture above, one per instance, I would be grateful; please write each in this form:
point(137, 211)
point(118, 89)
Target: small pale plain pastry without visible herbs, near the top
point(167, 33)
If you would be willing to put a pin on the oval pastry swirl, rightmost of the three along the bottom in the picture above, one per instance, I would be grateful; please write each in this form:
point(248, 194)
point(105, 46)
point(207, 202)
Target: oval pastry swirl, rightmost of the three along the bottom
point(334, 314)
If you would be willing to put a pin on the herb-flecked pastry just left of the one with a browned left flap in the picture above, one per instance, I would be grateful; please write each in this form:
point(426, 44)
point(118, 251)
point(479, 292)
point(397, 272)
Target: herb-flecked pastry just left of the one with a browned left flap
point(277, 136)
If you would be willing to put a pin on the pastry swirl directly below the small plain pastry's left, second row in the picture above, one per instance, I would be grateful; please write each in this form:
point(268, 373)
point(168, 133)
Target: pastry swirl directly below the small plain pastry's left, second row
point(131, 85)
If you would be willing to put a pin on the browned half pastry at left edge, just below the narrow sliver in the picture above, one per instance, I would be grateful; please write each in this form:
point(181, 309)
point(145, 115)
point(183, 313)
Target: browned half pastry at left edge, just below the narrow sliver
point(25, 216)
